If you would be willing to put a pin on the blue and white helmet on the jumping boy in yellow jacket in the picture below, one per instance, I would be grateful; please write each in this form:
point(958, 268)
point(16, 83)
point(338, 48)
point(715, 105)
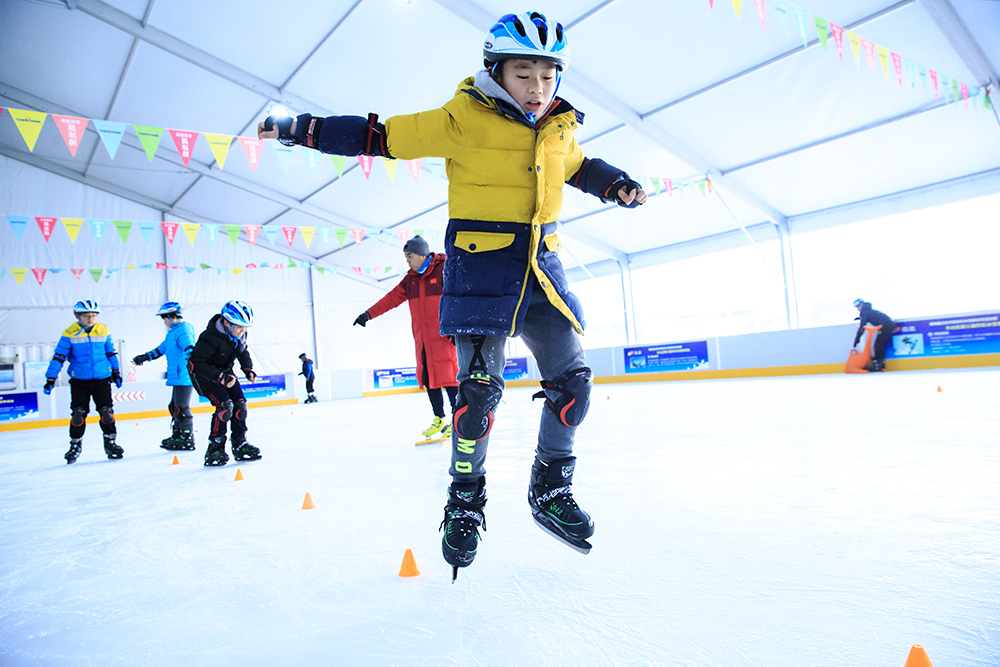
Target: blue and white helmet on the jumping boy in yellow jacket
point(530, 36)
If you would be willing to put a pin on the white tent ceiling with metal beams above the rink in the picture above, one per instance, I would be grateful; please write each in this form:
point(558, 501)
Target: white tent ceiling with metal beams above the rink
point(788, 133)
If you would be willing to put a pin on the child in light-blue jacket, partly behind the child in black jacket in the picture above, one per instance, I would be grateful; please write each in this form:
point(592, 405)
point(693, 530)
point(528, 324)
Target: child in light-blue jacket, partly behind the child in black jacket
point(177, 347)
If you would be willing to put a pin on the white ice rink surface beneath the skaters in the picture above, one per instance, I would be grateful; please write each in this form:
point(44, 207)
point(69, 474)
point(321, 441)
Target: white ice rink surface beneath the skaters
point(787, 522)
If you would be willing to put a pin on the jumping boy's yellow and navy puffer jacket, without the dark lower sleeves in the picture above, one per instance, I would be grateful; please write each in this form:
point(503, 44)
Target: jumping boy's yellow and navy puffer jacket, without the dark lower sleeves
point(504, 196)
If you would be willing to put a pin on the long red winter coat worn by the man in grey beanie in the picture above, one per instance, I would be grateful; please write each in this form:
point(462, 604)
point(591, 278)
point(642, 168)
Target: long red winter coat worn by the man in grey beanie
point(424, 294)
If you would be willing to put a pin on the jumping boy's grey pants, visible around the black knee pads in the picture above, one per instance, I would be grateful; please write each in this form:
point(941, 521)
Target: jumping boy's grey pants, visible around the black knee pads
point(557, 350)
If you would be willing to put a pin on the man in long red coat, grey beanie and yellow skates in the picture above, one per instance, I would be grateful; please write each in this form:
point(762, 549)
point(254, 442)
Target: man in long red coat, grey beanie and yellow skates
point(437, 363)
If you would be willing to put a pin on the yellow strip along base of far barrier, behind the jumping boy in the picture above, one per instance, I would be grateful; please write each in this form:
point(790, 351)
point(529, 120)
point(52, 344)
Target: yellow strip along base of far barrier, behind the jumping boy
point(915, 364)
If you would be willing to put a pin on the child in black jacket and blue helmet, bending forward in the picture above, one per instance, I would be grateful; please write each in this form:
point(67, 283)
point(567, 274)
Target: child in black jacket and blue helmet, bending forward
point(211, 368)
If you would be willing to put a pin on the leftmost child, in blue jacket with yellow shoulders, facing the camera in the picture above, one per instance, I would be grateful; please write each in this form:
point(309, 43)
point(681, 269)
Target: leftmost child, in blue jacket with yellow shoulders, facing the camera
point(93, 366)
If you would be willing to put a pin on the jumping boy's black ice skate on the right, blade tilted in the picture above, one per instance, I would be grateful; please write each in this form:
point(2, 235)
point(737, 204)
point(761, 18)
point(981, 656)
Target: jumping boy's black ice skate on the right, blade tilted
point(552, 503)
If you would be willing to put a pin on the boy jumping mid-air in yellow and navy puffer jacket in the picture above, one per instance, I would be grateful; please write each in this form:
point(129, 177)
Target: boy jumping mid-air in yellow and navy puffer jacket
point(509, 148)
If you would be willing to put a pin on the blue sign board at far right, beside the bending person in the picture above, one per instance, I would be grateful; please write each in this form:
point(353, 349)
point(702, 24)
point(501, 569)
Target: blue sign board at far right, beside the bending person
point(946, 336)
